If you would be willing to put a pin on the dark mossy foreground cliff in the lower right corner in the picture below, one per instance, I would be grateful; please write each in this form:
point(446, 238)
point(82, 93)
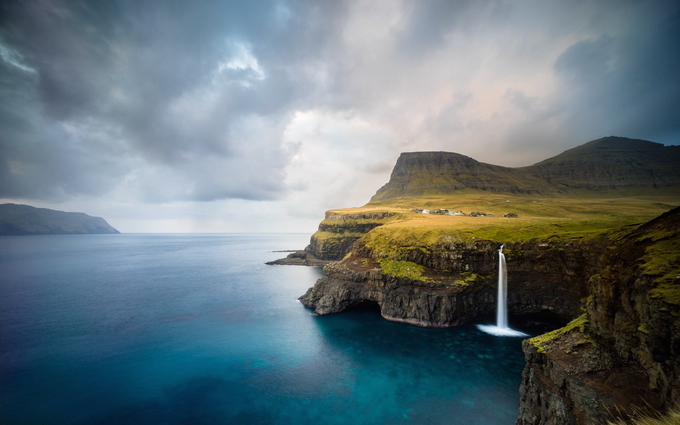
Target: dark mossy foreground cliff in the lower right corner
point(623, 354)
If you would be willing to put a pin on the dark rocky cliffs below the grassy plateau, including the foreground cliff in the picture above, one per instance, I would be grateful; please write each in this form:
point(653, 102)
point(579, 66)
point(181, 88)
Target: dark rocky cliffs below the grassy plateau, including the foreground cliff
point(619, 356)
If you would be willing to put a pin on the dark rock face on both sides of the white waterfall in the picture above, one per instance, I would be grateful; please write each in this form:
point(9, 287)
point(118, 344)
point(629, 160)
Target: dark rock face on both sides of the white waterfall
point(457, 282)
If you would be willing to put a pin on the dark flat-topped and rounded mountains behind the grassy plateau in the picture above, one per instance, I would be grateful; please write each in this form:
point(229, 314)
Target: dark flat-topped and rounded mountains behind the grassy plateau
point(610, 163)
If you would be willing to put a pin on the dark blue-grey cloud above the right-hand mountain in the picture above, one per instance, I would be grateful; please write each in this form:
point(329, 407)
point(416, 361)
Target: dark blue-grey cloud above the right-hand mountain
point(630, 82)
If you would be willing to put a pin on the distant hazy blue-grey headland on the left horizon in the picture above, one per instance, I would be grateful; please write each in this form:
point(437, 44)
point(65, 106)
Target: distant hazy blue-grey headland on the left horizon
point(27, 220)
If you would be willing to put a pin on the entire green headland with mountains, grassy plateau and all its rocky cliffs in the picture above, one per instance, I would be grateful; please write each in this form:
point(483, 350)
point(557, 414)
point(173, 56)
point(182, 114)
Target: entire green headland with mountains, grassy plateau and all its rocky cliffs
point(581, 242)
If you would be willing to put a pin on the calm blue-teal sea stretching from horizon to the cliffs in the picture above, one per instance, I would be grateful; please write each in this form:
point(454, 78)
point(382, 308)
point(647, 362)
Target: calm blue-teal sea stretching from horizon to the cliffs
point(196, 329)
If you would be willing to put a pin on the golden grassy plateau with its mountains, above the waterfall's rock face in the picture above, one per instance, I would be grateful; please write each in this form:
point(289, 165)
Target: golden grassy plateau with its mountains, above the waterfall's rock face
point(610, 169)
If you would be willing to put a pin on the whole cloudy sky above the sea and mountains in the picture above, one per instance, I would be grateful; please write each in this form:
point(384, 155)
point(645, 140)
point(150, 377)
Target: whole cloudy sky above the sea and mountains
point(258, 116)
